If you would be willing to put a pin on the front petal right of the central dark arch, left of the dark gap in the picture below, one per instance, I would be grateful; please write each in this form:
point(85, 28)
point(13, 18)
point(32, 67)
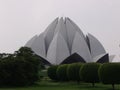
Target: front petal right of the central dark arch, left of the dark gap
point(80, 47)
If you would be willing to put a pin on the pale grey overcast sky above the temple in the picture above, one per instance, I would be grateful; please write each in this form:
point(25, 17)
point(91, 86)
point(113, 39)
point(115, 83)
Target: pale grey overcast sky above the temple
point(22, 19)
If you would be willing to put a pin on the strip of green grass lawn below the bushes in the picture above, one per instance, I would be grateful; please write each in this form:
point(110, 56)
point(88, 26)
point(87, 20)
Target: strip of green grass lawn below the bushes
point(48, 85)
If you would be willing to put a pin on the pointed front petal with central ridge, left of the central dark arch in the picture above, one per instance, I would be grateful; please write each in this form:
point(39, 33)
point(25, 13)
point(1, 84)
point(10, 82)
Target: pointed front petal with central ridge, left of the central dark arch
point(58, 50)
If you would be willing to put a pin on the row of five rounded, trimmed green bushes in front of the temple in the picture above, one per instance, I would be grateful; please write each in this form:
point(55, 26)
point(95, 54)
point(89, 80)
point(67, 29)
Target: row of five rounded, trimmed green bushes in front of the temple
point(107, 73)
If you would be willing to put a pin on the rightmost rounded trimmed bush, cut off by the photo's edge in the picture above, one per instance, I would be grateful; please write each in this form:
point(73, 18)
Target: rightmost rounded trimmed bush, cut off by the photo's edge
point(109, 73)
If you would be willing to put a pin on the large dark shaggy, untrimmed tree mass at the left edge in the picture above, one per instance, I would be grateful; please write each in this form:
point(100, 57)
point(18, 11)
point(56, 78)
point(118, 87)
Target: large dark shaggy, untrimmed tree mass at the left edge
point(19, 70)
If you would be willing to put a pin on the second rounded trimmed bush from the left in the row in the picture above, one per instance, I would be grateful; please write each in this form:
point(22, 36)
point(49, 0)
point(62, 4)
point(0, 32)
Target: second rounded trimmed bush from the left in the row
point(62, 72)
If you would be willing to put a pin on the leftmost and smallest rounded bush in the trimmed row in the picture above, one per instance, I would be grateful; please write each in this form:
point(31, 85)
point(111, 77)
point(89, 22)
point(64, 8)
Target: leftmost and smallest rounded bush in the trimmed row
point(52, 72)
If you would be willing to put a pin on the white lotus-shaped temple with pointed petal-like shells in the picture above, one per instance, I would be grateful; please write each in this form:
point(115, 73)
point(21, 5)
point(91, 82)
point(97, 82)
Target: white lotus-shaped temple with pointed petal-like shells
point(64, 42)
